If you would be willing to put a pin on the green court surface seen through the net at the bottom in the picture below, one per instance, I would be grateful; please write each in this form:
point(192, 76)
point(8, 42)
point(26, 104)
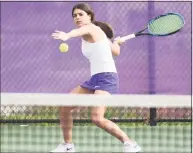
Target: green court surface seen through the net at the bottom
point(18, 138)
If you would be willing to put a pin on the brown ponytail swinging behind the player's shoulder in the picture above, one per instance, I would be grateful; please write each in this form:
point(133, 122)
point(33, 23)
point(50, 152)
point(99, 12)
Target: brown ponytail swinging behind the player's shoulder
point(107, 28)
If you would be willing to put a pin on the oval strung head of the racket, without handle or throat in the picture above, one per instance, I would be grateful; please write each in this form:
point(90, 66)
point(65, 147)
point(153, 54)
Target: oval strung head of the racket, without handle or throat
point(166, 24)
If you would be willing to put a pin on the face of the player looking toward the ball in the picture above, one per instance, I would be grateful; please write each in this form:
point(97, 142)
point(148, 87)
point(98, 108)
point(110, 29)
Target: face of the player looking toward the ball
point(81, 18)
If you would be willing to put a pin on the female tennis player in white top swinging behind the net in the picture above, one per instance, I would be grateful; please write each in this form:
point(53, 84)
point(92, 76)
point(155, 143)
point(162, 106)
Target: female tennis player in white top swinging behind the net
point(98, 49)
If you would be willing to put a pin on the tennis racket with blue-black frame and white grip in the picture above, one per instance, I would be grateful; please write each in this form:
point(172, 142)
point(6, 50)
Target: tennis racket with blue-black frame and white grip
point(162, 25)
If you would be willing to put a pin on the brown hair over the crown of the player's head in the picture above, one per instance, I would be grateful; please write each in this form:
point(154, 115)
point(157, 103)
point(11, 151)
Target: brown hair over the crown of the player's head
point(86, 8)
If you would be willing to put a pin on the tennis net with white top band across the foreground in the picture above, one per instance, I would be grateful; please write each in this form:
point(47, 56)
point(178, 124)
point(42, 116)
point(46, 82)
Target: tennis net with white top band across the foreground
point(30, 122)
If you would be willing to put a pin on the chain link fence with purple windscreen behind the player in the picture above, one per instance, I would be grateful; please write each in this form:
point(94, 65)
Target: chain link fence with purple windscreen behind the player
point(32, 63)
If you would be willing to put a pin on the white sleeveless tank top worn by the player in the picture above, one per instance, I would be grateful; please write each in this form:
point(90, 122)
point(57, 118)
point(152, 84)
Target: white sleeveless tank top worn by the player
point(100, 56)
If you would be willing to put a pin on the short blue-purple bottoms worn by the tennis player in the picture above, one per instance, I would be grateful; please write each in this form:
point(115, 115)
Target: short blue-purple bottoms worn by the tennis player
point(107, 81)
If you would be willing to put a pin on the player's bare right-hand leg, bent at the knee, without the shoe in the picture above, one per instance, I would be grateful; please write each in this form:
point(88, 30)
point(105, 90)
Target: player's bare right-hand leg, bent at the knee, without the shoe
point(98, 119)
